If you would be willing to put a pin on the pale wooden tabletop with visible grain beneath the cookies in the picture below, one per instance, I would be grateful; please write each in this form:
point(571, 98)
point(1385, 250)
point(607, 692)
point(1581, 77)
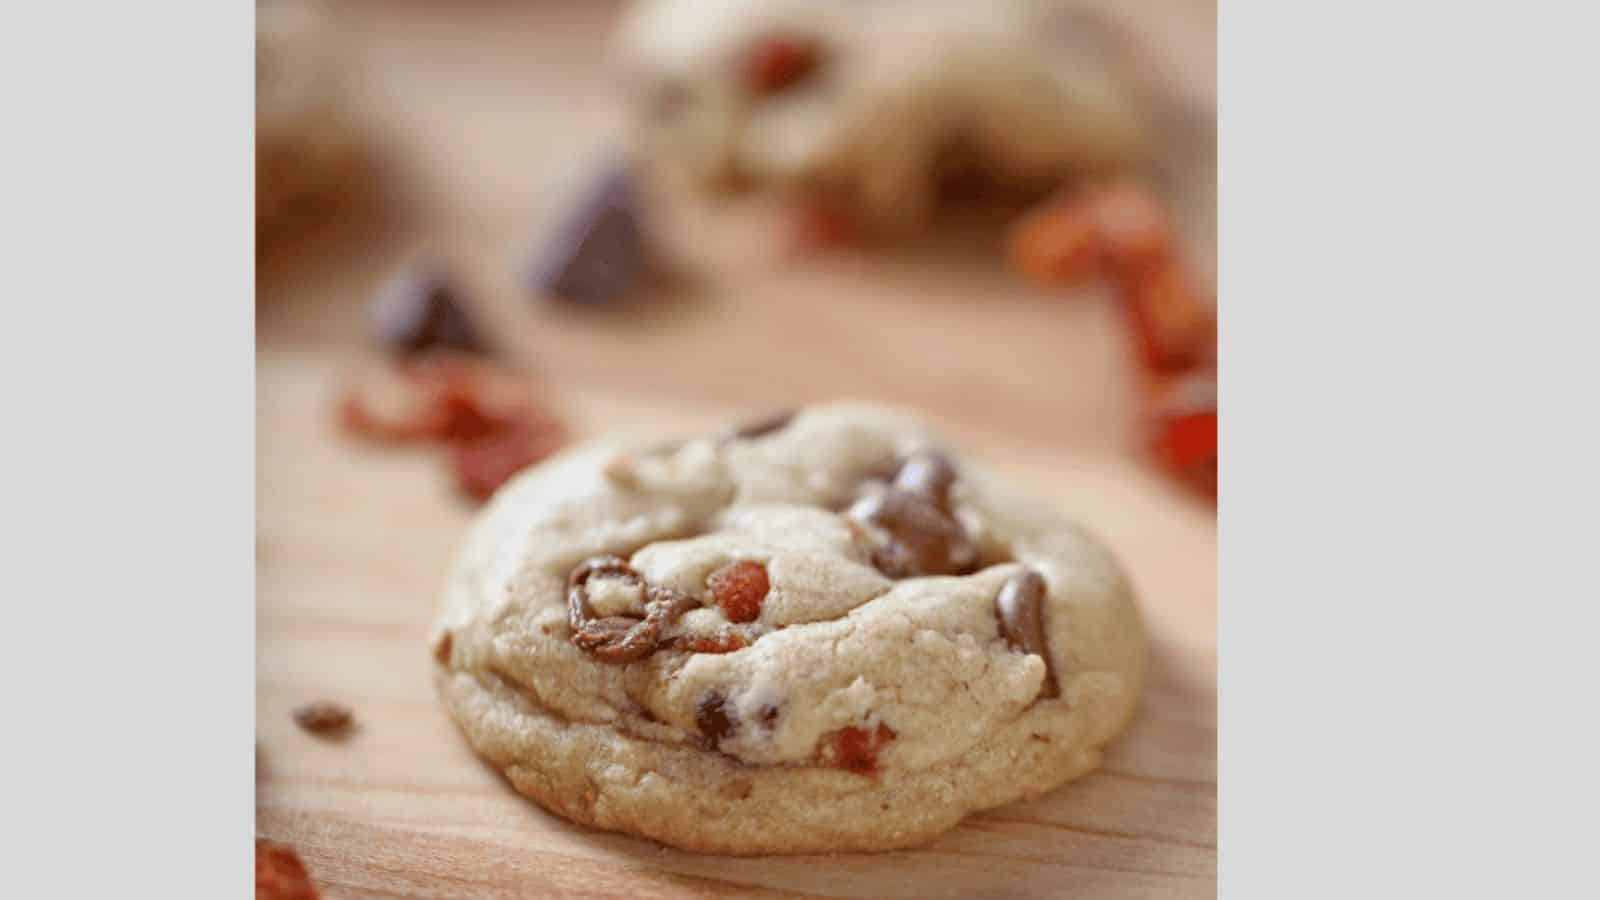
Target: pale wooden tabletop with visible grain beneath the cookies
point(486, 111)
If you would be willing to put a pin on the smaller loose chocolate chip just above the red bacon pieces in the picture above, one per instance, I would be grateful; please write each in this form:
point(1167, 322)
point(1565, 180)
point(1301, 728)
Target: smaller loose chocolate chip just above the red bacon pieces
point(420, 310)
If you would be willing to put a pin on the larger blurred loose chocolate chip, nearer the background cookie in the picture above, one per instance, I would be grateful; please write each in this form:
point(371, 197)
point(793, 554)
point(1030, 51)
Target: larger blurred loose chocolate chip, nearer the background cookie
point(599, 254)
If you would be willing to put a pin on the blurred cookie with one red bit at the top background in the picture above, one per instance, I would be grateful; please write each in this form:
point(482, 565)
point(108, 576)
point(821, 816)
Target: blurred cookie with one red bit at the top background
point(876, 102)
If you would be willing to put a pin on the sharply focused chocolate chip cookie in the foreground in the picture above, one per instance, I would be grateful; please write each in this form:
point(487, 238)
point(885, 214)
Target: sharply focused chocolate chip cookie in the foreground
point(817, 633)
